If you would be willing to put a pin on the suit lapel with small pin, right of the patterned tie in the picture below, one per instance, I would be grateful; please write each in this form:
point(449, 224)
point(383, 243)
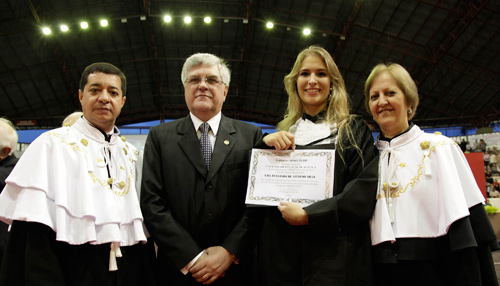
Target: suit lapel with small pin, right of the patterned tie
point(224, 143)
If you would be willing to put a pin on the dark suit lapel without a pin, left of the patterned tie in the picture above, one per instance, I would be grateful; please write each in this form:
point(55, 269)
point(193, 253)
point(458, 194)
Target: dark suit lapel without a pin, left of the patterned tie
point(190, 144)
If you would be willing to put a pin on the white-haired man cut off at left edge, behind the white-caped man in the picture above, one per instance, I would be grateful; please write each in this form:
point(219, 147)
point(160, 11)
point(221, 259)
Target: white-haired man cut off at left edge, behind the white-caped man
point(8, 142)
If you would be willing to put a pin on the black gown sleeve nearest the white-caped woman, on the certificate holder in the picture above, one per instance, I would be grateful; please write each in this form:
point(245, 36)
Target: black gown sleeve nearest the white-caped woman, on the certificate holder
point(355, 183)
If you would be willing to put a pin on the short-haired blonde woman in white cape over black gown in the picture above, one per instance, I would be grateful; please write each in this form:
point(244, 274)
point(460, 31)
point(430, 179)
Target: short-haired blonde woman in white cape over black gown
point(429, 226)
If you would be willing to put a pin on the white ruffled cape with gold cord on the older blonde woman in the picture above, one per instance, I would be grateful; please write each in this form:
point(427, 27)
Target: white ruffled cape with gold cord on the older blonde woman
point(425, 184)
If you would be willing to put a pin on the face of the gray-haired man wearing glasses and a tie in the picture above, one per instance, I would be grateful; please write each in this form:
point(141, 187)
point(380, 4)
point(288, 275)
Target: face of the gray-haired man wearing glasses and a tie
point(205, 98)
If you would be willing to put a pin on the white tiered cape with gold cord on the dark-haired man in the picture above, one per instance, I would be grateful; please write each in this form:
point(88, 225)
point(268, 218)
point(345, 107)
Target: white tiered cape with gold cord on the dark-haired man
point(62, 181)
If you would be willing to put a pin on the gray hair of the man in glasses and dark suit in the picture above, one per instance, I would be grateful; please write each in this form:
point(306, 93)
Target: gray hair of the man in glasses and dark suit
point(208, 59)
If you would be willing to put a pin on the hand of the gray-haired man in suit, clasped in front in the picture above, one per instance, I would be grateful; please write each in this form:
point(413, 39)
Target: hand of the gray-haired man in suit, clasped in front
point(212, 265)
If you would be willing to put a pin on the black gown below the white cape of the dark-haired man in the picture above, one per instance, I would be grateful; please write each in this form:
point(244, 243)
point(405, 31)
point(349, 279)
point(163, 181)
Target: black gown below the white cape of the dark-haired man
point(34, 257)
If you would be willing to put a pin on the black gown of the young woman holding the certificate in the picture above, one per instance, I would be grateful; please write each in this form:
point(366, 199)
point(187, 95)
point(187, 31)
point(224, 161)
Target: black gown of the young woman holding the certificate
point(334, 248)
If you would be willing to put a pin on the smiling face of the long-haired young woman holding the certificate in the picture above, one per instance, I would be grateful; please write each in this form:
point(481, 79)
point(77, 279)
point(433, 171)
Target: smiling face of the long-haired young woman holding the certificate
point(313, 84)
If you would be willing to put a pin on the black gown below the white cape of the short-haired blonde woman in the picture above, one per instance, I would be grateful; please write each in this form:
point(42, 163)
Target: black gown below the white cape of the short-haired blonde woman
point(461, 257)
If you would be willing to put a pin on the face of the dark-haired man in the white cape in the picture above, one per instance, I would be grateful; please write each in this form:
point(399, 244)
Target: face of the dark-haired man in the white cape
point(102, 100)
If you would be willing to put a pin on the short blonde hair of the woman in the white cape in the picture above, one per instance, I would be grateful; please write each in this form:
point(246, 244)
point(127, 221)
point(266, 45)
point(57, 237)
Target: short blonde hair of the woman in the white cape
point(403, 80)
